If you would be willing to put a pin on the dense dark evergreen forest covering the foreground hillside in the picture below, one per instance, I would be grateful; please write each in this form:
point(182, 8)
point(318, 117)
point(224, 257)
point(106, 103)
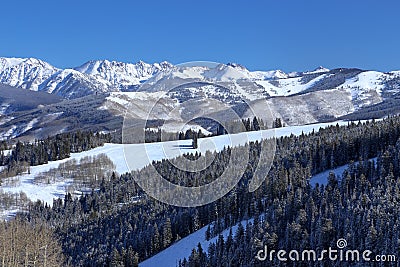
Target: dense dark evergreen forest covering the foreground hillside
point(119, 225)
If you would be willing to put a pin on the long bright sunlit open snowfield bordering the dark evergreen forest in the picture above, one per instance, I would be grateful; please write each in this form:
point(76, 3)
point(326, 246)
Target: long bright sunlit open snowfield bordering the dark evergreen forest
point(146, 153)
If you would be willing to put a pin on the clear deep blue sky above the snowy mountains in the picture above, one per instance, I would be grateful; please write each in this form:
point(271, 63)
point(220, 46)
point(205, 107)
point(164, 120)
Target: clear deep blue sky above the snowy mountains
point(262, 35)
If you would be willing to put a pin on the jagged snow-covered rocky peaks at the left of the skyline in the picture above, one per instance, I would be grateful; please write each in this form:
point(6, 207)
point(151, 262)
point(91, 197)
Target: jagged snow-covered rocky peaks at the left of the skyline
point(89, 78)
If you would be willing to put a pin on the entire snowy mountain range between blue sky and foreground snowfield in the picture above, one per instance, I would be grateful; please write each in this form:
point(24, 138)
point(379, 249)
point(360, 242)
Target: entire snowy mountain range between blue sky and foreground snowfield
point(96, 94)
